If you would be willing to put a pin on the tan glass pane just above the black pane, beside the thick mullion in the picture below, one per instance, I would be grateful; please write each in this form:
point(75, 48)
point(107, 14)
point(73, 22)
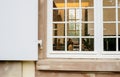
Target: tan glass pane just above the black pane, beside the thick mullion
point(109, 29)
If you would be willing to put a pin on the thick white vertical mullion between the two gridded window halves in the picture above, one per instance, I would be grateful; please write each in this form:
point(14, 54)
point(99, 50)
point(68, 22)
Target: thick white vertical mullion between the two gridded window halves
point(98, 17)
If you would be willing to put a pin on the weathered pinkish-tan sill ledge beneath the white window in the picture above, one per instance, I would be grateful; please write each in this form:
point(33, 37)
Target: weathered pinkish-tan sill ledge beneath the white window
point(79, 65)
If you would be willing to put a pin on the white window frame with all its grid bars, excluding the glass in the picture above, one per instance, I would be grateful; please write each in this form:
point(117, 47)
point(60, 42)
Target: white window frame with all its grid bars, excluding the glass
point(98, 33)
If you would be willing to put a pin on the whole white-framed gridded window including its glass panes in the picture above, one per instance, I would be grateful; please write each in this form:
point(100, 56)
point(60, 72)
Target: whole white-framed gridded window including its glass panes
point(83, 29)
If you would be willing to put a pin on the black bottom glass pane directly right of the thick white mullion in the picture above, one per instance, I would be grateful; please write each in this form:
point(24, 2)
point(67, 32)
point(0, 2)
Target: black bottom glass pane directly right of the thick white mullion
point(109, 44)
